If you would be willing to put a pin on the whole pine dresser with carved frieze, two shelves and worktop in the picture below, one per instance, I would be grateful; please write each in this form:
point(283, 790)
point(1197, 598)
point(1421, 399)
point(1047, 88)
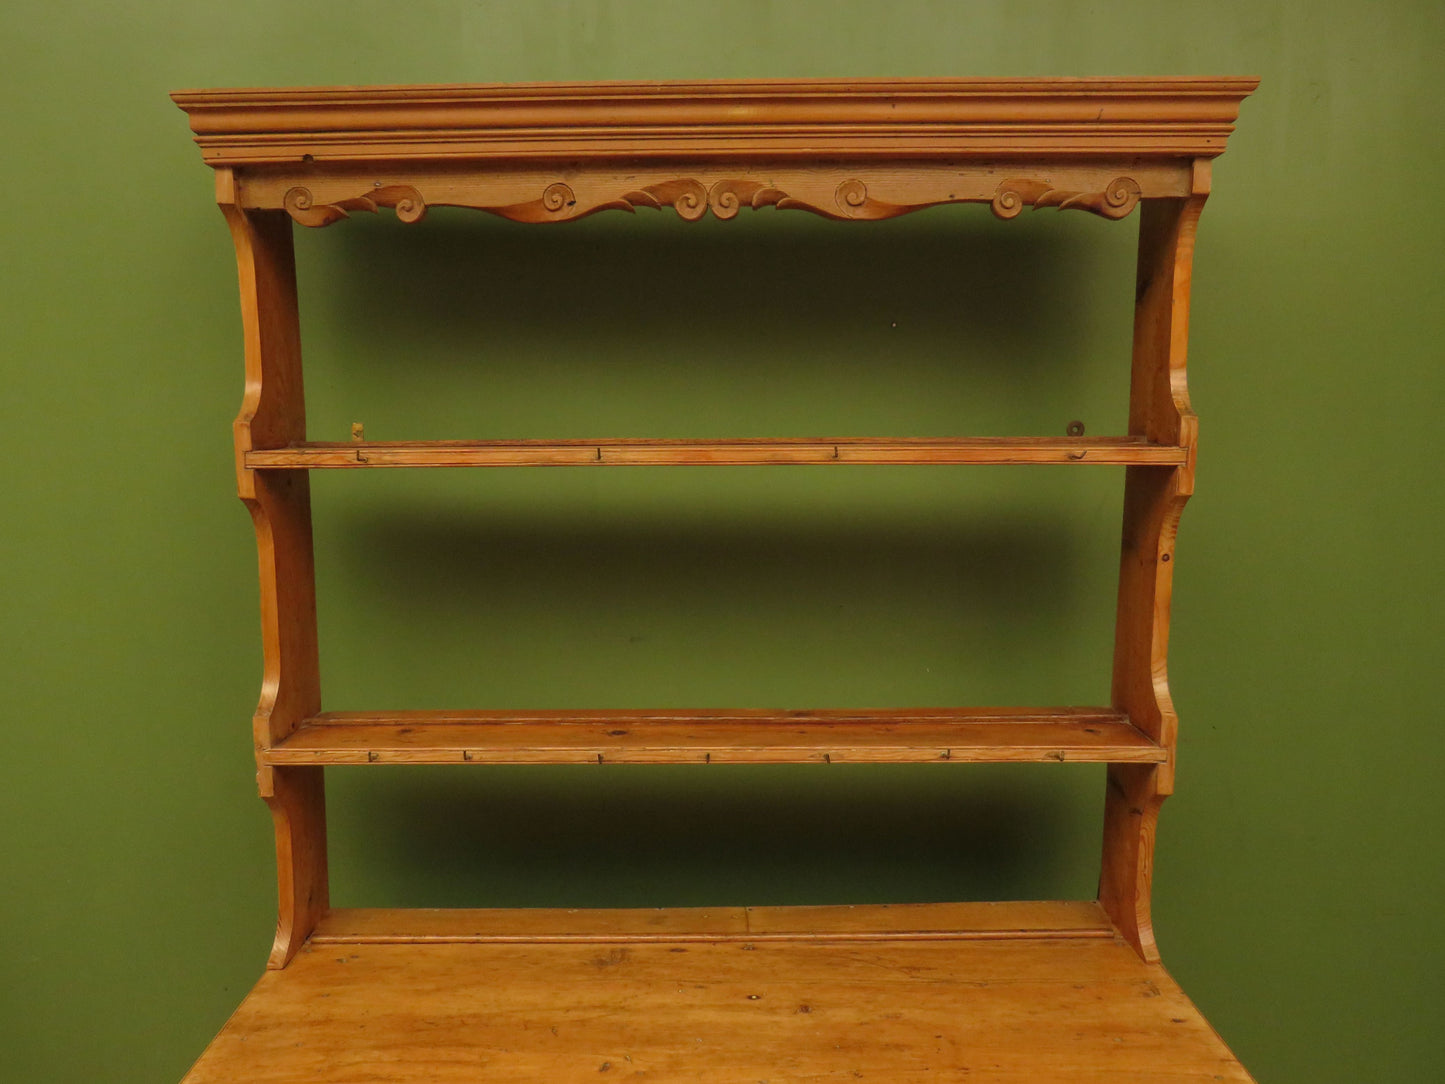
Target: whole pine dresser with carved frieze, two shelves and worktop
point(1011, 994)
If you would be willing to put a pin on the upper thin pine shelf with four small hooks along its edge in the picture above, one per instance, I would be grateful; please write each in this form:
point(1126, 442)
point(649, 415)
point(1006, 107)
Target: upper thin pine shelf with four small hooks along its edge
point(738, 452)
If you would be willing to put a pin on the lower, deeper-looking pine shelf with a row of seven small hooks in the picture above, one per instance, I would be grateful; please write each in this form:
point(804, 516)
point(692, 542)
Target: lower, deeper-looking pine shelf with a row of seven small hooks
point(717, 736)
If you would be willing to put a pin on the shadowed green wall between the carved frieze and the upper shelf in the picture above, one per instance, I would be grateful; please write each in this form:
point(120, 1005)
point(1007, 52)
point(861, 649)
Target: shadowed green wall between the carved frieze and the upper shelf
point(771, 324)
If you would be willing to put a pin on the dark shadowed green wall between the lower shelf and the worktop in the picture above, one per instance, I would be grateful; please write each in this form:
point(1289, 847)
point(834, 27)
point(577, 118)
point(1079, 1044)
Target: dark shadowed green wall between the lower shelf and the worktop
point(634, 836)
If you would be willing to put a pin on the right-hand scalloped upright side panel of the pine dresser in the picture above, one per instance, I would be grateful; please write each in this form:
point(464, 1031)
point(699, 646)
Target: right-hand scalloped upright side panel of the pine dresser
point(1154, 502)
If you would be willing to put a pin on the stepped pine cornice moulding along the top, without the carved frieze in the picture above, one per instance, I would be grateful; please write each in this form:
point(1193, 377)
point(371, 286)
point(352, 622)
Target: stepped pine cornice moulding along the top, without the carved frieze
point(746, 121)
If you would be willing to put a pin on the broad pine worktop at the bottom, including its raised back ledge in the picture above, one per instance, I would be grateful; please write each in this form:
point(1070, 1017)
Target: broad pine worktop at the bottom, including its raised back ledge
point(1008, 994)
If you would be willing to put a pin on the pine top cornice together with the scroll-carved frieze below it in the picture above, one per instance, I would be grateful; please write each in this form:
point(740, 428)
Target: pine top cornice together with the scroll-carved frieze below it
point(858, 150)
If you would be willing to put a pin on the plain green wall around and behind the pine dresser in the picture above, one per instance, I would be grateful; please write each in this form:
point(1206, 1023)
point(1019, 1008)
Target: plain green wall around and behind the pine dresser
point(1298, 869)
